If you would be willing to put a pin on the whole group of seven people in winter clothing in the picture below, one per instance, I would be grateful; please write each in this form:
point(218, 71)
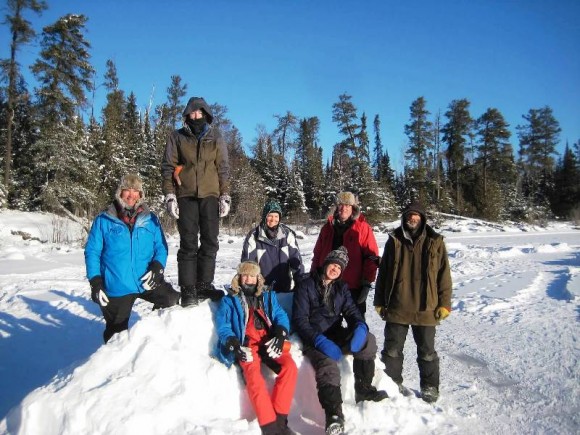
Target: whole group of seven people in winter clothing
point(126, 253)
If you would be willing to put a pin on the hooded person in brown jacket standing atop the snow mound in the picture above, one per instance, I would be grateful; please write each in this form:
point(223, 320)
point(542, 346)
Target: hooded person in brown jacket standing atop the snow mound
point(195, 173)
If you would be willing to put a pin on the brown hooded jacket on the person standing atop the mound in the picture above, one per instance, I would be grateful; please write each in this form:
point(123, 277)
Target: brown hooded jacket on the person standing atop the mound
point(204, 163)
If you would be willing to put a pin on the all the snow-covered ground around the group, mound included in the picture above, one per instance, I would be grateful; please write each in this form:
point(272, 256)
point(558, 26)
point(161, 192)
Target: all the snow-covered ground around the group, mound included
point(509, 351)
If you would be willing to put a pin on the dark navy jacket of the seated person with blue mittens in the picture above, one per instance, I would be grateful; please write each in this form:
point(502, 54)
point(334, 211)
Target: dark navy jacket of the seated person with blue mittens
point(311, 316)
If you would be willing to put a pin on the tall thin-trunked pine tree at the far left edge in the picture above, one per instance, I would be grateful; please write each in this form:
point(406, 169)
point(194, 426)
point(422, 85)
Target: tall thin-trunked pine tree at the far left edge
point(21, 33)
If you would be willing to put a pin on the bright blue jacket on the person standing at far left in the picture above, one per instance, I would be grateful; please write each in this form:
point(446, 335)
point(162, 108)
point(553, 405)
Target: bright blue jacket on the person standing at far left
point(121, 256)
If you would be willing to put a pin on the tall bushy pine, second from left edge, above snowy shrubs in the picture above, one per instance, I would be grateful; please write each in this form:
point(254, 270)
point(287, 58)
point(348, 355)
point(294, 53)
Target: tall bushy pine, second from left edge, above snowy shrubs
point(65, 75)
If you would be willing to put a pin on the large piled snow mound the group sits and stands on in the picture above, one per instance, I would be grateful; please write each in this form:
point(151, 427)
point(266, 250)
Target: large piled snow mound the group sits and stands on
point(158, 377)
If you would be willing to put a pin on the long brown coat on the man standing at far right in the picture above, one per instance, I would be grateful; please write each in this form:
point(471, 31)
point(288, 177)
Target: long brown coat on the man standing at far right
point(414, 279)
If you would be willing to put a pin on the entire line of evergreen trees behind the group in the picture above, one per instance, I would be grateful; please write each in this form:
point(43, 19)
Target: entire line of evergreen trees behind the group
point(59, 156)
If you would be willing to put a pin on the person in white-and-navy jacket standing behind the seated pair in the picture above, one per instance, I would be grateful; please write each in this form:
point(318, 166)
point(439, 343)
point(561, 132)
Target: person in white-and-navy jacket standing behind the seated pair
point(274, 247)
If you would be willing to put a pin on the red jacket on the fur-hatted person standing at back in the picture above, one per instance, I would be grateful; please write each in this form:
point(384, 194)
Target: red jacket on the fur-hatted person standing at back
point(362, 248)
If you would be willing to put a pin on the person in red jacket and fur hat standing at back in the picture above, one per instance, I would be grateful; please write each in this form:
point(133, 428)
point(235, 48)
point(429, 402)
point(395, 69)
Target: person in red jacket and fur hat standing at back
point(347, 227)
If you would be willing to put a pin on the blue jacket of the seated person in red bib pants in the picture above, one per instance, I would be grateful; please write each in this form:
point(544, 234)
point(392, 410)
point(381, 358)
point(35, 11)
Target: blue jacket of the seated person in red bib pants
point(231, 319)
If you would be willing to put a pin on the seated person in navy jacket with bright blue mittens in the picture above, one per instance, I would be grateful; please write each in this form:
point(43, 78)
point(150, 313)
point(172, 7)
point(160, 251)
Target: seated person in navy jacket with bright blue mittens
point(321, 303)
